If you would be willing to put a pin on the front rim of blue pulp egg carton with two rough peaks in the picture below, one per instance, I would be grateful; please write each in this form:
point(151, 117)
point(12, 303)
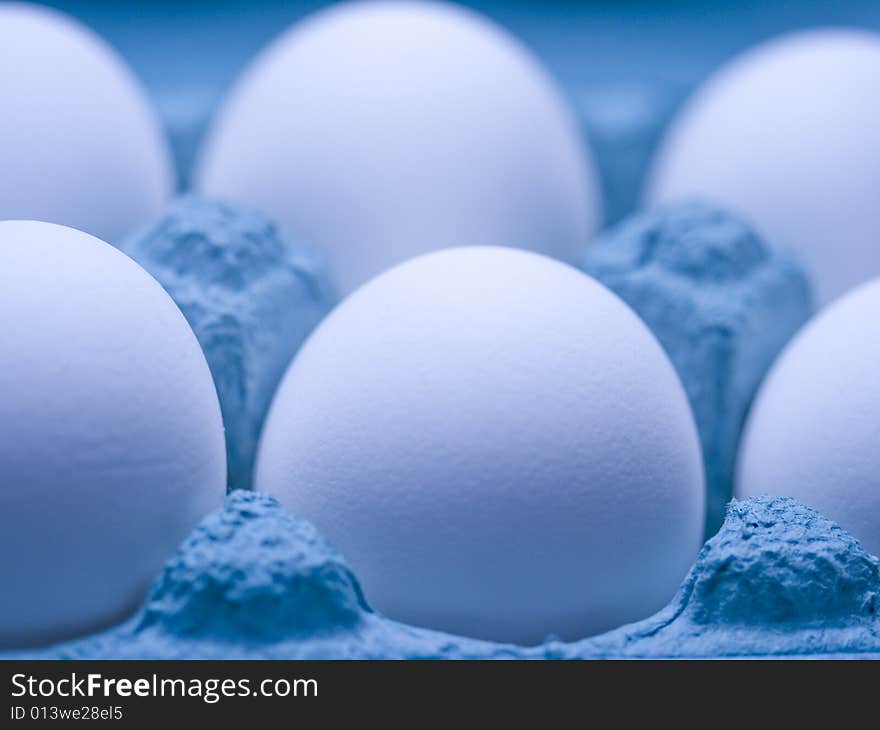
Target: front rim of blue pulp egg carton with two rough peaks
point(252, 582)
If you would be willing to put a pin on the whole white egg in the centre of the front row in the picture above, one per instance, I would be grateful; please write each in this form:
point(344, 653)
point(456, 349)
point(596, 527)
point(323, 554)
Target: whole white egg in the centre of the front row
point(496, 443)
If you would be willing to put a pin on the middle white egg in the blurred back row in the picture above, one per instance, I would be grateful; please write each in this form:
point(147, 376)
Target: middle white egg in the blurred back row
point(380, 131)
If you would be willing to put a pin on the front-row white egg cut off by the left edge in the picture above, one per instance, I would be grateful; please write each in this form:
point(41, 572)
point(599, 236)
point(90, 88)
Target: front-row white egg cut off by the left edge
point(111, 441)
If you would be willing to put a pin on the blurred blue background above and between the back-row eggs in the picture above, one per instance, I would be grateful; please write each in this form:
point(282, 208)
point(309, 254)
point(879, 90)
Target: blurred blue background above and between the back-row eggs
point(625, 65)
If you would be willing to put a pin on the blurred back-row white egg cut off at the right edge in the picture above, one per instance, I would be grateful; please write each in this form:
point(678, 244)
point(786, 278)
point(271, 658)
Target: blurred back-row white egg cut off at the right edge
point(787, 134)
